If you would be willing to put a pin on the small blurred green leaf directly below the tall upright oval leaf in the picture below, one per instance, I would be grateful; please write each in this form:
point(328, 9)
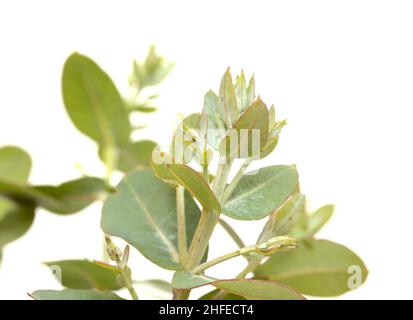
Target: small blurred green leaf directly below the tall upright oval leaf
point(136, 155)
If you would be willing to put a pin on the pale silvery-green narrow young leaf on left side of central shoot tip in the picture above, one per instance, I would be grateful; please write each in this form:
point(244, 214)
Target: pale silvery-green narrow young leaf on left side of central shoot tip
point(214, 111)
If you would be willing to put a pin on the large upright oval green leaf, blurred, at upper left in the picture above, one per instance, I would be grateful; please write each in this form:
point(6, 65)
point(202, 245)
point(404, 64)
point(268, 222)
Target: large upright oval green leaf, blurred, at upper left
point(93, 102)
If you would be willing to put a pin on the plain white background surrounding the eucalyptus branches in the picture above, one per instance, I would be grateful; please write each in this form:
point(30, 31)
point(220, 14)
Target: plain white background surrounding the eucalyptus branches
point(341, 72)
